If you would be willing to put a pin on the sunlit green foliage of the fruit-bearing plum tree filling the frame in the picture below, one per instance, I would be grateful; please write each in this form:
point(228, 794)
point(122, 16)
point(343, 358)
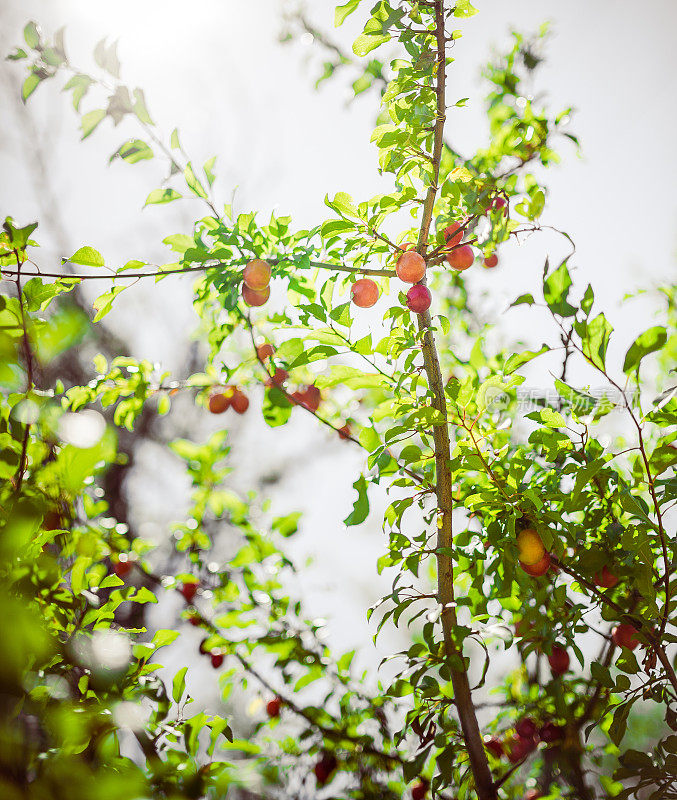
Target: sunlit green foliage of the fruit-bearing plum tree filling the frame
point(84, 709)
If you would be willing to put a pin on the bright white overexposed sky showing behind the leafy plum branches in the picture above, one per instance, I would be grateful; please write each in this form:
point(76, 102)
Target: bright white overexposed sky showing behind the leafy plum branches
point(215, 70)
